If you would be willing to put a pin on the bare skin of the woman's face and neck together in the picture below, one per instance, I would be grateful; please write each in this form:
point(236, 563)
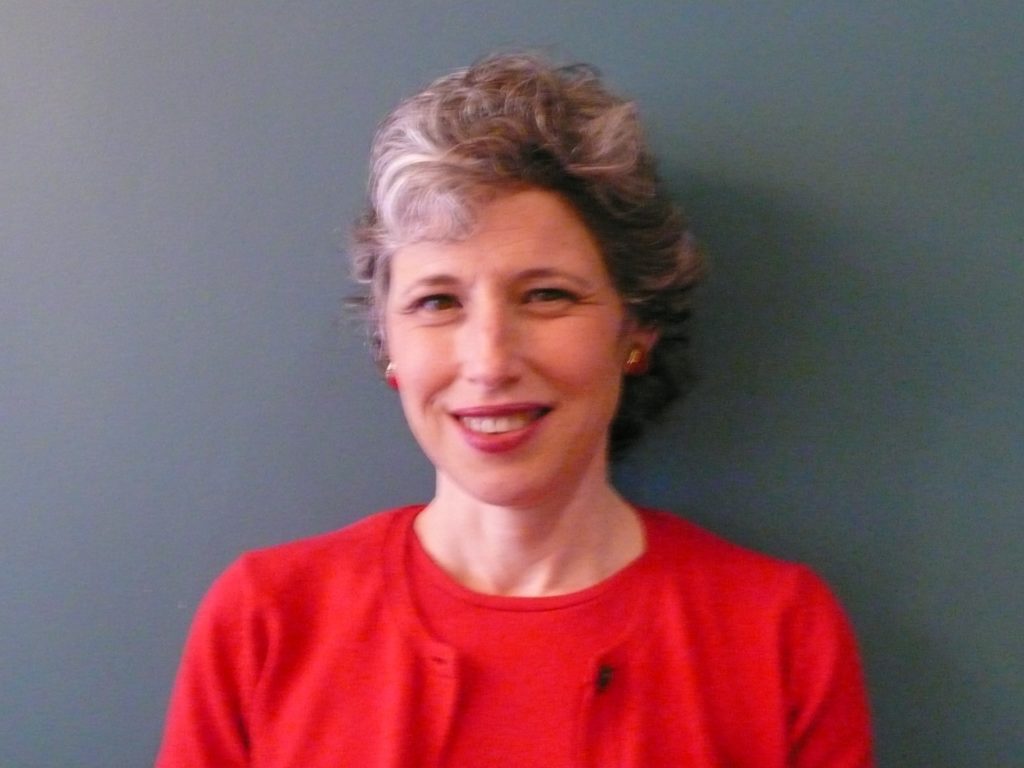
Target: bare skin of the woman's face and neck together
point(509, 347)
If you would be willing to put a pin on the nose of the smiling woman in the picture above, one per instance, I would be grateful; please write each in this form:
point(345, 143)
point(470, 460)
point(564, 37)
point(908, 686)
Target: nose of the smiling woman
point(489, 344)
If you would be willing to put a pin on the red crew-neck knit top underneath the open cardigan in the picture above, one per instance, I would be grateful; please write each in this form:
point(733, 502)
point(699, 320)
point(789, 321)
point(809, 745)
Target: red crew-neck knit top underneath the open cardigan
point(526, 662)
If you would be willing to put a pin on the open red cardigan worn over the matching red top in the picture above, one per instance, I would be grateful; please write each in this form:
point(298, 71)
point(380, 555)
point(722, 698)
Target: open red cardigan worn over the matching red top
point(316, 654)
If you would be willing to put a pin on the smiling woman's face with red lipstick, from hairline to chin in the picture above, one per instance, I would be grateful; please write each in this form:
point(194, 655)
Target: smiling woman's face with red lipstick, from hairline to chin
point(509, 349)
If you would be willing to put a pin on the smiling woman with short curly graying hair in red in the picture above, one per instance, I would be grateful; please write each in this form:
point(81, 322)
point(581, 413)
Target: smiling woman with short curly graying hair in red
point(528, 283)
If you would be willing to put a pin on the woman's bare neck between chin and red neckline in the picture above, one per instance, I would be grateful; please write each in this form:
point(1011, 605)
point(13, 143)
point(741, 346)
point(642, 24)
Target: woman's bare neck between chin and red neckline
point(552, 548)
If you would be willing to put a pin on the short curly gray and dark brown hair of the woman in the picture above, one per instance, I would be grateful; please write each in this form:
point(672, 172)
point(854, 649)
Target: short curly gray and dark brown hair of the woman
point(518, 121)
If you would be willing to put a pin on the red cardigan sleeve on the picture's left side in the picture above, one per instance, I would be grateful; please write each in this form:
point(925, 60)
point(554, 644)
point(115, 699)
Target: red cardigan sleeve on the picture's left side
point(206, 721)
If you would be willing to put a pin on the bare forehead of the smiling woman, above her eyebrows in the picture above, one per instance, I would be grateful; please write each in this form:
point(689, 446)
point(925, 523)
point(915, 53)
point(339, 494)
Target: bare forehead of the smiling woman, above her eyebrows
point(522, 231)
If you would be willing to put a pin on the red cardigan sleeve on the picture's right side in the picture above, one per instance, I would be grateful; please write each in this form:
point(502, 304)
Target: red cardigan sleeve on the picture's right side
point(830, 724)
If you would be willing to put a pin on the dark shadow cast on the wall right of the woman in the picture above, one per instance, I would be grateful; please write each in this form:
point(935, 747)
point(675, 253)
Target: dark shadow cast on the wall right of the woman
point(823, 363)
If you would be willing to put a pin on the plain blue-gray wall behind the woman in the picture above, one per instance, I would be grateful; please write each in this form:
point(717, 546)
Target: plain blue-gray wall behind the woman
point(178, 382)
